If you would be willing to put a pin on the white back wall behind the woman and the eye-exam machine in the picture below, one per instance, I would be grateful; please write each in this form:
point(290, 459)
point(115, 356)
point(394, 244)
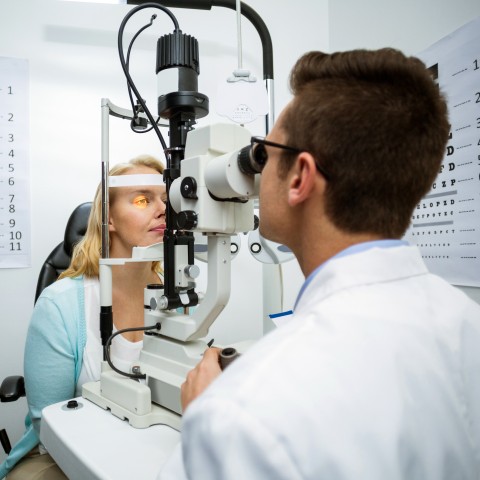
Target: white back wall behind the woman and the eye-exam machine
point(71, 48)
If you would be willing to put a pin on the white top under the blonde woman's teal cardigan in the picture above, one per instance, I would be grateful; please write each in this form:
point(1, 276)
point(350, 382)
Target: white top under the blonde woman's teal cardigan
point(122, 352)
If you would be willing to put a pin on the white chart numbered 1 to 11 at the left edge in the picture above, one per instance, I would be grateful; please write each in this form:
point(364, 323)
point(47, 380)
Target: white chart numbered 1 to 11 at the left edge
point(14, 164)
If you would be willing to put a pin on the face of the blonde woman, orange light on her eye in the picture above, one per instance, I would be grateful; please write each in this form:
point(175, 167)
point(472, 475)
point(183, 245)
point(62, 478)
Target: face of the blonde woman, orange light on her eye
point(137, 215)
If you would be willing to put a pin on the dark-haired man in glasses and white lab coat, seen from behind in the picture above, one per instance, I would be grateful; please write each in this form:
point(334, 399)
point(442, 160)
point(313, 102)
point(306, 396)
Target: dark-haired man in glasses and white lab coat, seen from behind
point(376, 374)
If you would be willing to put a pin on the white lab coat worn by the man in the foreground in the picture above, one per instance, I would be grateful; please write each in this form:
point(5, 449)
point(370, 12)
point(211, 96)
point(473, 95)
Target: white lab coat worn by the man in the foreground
point(376, 376)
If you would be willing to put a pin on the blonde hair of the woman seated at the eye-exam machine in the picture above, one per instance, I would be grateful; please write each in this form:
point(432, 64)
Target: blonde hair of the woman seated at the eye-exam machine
point(86, 254)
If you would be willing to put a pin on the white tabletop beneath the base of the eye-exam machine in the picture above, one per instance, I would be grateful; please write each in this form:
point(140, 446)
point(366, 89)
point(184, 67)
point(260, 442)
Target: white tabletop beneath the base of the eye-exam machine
point(91, 443)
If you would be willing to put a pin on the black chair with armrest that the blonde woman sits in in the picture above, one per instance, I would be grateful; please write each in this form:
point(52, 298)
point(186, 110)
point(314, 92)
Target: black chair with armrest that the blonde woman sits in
point(13, 387)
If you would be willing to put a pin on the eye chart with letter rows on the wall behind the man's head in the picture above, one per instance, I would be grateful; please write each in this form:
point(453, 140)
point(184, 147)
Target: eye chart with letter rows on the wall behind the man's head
point(446, 223)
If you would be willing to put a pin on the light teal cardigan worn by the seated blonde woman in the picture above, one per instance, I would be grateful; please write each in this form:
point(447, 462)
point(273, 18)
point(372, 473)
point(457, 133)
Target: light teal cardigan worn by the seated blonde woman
point(53, 358)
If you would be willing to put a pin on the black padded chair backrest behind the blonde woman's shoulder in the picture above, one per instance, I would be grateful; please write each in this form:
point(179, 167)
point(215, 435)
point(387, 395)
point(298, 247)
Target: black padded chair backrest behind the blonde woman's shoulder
point(59, 258)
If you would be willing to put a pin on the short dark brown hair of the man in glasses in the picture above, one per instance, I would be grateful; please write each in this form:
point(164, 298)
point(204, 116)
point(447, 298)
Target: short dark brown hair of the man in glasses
point(377, 122)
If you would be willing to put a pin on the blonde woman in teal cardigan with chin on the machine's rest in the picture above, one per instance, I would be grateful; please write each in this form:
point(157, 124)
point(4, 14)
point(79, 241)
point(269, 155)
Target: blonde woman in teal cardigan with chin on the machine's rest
point(63, 348)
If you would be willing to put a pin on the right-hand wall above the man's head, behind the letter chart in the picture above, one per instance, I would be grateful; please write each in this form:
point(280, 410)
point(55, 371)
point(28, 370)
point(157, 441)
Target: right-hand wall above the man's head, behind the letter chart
point(408, 25)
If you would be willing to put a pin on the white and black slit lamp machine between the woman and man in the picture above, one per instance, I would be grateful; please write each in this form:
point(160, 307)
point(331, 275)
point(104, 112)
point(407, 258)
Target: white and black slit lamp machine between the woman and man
point(211, 181)
